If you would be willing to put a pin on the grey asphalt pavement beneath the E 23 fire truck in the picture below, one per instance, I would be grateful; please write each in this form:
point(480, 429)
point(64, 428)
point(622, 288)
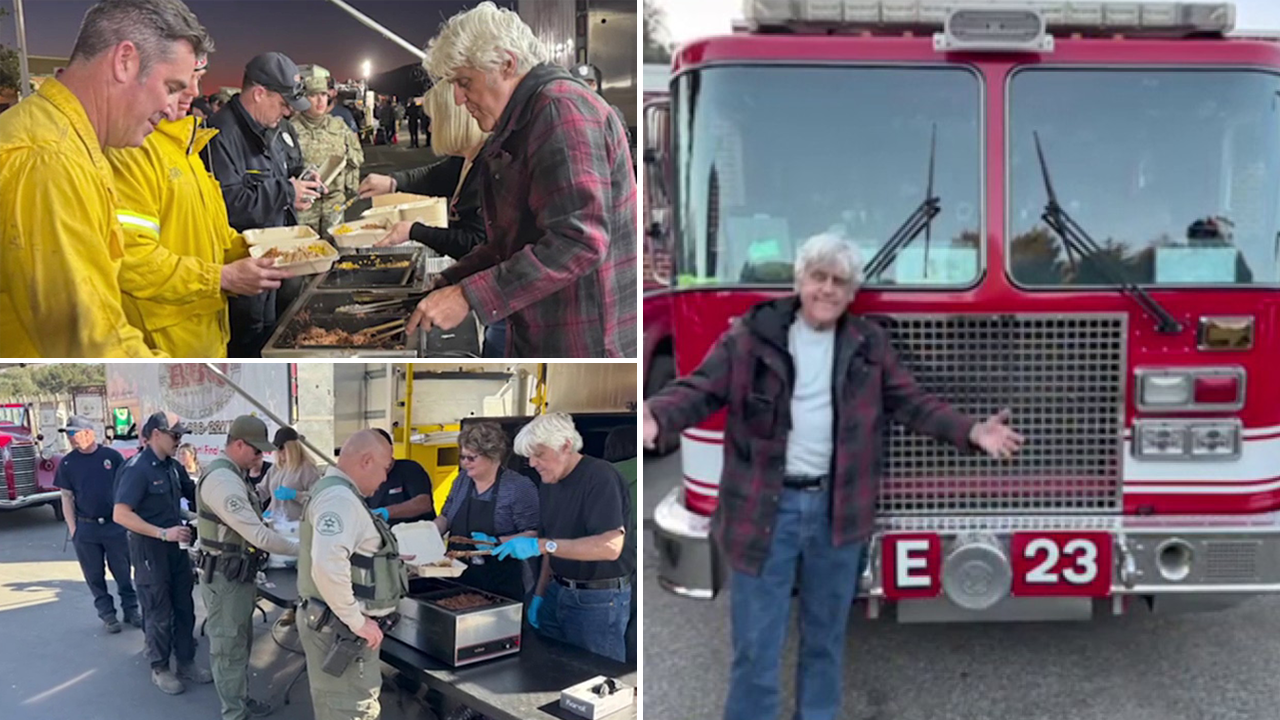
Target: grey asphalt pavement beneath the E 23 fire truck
point(1141, 667)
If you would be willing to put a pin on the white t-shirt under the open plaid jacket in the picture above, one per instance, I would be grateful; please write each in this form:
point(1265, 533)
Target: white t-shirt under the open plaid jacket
point(810, 446)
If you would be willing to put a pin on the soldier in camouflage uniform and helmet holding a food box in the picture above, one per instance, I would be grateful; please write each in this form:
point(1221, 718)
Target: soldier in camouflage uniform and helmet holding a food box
point(323, 136)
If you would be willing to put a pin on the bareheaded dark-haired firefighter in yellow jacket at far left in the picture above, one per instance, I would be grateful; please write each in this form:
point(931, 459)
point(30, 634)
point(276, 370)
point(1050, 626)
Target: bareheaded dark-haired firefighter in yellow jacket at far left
point(61, 243)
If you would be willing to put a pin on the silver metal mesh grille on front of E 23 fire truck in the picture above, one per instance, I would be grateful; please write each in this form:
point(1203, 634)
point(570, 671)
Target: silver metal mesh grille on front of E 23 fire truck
point(1064, 380)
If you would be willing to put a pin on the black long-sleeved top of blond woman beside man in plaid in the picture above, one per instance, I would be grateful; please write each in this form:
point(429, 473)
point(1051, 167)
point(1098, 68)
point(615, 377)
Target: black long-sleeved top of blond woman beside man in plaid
point(467, 221)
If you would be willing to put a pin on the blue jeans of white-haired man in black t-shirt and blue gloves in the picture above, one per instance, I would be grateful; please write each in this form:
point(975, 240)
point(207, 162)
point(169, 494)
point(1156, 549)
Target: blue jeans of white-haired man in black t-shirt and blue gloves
point(595, 621)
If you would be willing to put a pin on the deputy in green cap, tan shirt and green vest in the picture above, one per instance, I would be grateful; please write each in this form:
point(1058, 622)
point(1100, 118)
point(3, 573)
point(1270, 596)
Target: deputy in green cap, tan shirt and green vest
point(232, 539)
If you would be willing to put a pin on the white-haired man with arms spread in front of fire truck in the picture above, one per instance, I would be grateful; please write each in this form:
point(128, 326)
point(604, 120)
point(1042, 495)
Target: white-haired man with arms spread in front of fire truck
point(807, 386)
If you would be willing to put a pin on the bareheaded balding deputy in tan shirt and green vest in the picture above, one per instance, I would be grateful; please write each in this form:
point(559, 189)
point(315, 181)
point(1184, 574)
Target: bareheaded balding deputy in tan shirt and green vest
point(350, 576)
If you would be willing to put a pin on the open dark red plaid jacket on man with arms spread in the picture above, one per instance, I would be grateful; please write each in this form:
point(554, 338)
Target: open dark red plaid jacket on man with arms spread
point(751, 373)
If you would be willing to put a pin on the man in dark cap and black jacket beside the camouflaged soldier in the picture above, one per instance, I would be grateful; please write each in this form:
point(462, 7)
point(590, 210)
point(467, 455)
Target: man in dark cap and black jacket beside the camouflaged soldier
point(250, 157)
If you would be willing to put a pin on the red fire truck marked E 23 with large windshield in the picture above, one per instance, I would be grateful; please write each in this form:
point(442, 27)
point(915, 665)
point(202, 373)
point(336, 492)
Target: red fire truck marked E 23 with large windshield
point(1068, 209)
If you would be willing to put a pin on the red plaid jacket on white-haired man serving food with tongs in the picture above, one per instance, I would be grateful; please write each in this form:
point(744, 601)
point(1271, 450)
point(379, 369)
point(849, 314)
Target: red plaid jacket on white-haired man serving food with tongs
point(560, 206)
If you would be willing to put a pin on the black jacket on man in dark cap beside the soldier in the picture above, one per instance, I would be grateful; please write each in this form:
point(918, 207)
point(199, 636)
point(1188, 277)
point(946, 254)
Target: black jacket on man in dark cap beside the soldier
point(252, 163)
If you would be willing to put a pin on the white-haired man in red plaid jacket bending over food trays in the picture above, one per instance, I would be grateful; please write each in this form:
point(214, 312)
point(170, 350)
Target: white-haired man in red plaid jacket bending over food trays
point(559, 197)
